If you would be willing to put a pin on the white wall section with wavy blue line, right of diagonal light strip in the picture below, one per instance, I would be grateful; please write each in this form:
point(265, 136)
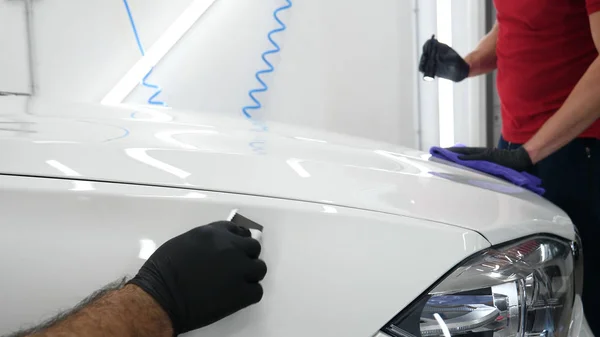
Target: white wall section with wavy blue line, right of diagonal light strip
point(346, 66)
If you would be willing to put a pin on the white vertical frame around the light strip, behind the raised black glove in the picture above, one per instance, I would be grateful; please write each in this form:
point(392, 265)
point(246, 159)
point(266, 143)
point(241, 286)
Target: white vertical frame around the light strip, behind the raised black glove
point(461, 107)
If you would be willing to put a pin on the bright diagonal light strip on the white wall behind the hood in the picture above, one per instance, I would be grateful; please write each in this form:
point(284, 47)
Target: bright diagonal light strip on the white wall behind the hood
point(158, 50)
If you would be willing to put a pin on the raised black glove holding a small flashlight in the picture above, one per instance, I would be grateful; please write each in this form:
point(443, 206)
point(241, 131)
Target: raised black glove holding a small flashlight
point(440, 60)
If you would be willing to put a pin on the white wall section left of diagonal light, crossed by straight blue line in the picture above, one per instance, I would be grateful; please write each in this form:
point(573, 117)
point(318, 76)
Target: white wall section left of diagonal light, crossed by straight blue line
point(83, 47)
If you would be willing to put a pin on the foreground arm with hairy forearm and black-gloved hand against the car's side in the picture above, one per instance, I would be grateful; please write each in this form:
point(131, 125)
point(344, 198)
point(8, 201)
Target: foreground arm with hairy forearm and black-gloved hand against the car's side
point(189, 282)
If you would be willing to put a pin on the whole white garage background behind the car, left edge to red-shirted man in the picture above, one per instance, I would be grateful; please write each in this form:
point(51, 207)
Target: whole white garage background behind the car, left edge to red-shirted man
point(347, 66)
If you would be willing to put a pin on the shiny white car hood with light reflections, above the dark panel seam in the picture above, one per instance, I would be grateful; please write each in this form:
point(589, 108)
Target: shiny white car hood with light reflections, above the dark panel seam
point(168, 148)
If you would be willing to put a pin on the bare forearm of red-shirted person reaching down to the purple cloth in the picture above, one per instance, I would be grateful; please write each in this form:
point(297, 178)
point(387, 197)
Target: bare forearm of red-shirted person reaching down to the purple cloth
point(580, 110)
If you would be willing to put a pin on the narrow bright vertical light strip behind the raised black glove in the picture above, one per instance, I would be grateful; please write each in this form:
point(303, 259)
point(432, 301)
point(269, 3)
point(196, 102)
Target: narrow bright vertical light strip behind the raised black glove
point(445, 87)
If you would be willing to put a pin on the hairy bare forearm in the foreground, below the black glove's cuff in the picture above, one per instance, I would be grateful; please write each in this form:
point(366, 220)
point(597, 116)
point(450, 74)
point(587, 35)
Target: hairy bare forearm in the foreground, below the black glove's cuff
point(116, 310)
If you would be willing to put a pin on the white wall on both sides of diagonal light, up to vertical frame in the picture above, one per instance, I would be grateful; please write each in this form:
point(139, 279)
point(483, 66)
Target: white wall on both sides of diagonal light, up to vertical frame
point(347, 65)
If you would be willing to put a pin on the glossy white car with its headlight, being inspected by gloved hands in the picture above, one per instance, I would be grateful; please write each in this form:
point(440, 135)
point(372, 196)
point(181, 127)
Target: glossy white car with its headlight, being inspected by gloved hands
point(361, 238)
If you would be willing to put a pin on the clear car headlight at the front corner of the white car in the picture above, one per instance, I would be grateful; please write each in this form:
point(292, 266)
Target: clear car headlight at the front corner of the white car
point(521, 289)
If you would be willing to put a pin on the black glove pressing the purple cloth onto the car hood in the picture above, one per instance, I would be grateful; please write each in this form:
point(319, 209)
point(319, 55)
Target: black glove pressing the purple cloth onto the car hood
point(517, 160)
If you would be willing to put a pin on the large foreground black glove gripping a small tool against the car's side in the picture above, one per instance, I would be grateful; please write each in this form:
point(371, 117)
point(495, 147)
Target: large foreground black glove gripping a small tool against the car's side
point(204, 275)
